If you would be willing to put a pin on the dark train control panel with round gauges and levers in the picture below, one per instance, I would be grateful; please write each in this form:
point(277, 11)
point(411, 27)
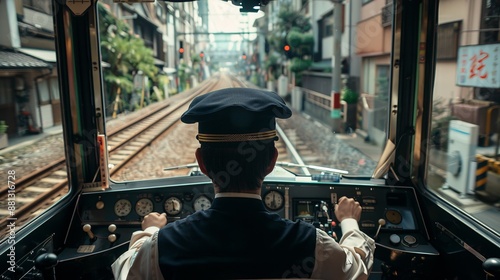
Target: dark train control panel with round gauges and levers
point(104, 222)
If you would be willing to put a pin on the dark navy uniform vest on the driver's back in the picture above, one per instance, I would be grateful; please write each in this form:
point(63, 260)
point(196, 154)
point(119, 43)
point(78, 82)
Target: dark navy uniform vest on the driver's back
point(236, 238)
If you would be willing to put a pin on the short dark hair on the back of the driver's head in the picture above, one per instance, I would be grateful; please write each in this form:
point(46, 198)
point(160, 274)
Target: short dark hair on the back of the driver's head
point(234, 168)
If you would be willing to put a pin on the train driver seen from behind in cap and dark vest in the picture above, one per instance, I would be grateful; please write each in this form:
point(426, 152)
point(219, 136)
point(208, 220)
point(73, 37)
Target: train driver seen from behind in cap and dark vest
point(237, 237)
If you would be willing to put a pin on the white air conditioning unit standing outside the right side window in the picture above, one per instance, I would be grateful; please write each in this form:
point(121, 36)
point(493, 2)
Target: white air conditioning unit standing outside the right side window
point(461, 165)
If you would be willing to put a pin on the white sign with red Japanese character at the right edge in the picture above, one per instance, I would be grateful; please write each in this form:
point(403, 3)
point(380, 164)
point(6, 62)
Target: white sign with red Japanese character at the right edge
point(479, 66)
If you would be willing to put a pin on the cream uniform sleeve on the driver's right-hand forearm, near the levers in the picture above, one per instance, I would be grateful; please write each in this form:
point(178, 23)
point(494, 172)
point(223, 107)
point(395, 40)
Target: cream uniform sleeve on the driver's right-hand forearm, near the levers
point(351, 258)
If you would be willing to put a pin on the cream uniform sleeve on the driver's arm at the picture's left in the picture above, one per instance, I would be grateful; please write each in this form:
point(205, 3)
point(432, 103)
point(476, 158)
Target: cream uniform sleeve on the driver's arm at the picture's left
point(141, 259)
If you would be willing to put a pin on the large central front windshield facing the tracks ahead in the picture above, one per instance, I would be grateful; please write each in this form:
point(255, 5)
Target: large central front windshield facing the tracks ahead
point(284, 47)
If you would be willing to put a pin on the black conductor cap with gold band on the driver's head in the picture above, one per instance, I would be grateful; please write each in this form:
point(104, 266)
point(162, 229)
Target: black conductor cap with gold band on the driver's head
point(236, 115)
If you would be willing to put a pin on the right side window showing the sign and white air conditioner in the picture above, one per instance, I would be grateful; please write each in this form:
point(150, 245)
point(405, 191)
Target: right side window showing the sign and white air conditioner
point(464, 163)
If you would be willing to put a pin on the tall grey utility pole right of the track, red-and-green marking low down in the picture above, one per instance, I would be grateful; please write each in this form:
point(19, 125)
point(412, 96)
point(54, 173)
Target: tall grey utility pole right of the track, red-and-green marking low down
point(336, 114)
